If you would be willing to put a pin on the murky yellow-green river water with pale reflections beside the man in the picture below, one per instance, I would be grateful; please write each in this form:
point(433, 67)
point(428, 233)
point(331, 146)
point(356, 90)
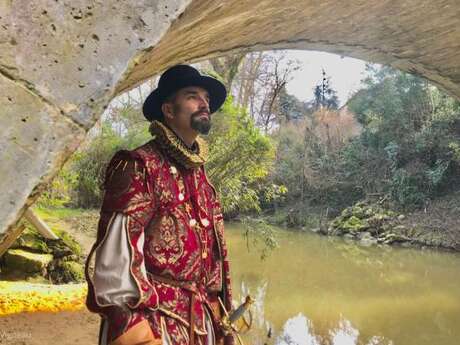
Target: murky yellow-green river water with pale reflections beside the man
point(314, 291)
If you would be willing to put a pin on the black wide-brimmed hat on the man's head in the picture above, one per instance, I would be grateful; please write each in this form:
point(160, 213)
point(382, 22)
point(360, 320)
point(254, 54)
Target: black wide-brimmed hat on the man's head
point(178, 77)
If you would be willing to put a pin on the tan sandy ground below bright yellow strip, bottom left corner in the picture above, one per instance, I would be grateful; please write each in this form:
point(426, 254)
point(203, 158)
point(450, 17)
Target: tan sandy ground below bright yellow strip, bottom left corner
point(63, 328)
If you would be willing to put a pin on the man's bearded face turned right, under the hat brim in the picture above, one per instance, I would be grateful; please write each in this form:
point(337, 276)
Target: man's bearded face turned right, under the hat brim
point(189, 110)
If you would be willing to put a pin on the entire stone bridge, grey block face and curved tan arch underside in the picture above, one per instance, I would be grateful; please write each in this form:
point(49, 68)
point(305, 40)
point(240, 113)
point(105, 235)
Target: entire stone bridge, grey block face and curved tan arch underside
point(62, 61)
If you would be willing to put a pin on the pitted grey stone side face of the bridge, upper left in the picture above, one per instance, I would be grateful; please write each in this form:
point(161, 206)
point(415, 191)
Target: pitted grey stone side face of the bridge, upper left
point(59, 65)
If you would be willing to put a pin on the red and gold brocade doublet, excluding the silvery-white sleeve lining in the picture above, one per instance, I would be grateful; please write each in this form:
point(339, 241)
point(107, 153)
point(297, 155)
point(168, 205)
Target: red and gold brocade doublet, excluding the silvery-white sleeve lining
point(175, 230)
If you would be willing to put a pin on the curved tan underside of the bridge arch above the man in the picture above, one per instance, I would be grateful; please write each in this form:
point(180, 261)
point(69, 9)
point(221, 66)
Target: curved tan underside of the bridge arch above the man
point(419, 36)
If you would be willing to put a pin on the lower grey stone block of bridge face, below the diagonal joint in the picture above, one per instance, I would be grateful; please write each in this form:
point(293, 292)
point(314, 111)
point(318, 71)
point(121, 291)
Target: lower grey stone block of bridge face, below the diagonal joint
point(35, 139)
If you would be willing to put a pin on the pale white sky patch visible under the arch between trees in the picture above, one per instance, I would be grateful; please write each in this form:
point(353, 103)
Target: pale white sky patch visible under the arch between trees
point(346, 74)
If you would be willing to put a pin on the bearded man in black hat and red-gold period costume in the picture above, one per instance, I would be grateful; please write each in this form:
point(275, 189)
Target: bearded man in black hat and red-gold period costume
point(160, 255)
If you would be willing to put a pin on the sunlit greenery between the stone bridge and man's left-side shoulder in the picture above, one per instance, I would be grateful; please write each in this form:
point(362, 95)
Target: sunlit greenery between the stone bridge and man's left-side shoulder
point(79, 183)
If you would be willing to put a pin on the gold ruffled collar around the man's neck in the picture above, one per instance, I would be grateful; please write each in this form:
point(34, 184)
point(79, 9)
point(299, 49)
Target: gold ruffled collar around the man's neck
point(175, 147)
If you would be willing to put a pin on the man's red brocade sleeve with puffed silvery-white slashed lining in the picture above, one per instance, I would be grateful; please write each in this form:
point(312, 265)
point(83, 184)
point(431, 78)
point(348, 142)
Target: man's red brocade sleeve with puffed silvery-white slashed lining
point(119, 275)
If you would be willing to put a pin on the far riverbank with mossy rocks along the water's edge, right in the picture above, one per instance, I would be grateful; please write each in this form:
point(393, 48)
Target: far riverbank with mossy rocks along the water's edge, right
point(369, 223)
